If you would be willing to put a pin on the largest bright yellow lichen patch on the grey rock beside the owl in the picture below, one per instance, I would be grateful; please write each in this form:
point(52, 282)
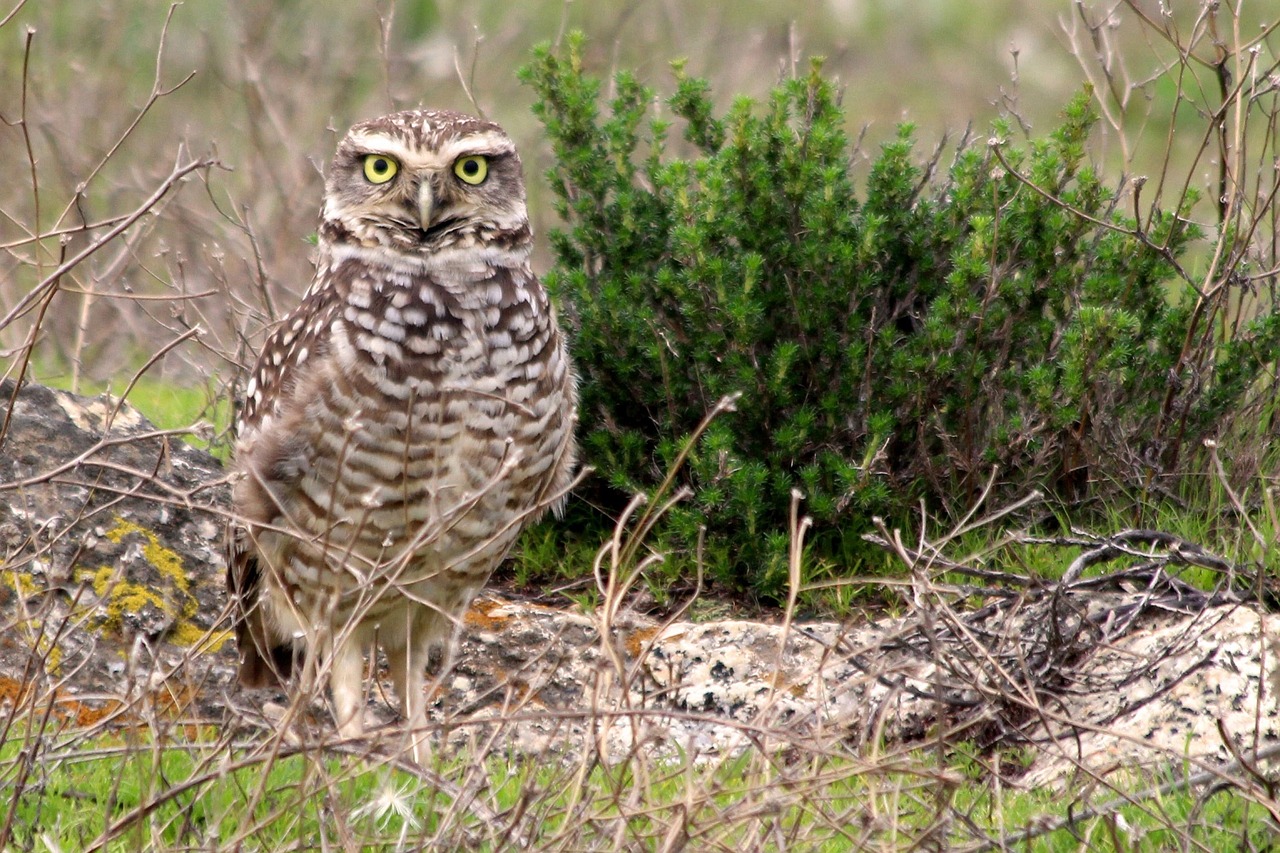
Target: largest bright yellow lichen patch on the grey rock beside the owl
point(124, 597)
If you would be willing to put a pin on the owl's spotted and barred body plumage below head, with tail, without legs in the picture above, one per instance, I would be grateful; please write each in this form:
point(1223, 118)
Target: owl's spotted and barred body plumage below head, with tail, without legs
point(391, 400)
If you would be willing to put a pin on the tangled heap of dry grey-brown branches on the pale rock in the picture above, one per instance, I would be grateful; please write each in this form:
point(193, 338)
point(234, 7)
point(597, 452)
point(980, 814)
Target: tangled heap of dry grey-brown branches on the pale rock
point(1003, 668)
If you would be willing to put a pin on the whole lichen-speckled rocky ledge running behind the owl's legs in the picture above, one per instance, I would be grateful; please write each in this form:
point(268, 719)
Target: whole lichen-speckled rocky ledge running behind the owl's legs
point(113, 609)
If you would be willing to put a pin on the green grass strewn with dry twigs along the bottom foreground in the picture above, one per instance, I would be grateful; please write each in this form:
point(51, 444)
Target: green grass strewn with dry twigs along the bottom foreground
point(130, 795)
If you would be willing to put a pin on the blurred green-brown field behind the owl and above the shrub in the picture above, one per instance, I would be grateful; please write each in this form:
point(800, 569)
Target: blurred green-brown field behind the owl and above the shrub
point(92, 126)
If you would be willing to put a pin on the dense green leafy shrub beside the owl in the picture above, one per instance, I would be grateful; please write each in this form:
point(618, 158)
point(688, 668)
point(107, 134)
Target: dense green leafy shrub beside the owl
point(893, 345)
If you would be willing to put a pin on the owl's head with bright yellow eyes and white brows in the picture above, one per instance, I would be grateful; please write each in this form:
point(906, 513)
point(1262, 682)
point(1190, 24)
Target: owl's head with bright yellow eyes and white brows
point(422, 181)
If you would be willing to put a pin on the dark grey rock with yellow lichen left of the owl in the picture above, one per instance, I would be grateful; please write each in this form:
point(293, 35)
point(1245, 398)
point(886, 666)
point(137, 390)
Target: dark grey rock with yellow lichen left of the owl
point(109, 542)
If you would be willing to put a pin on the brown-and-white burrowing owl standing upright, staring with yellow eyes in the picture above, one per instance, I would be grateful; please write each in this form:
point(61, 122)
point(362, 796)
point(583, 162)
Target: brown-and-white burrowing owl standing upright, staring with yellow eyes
point(406, 421)
